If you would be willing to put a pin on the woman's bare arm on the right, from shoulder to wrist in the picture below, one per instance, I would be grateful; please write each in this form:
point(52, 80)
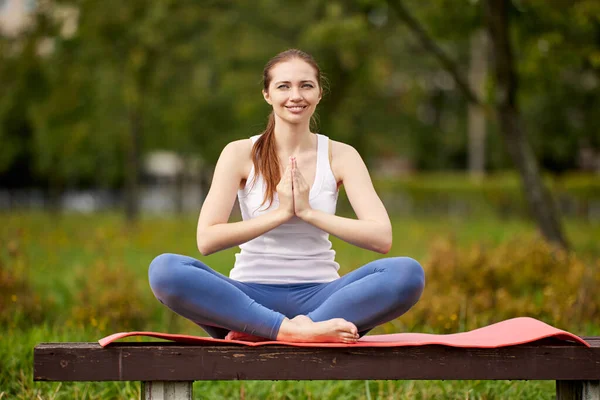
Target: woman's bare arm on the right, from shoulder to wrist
point(373, 229)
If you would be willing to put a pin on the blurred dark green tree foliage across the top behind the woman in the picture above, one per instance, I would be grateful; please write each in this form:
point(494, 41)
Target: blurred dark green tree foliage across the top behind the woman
point(192, 72)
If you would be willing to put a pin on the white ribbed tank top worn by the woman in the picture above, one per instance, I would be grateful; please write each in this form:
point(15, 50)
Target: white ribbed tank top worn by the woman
point(294, 252)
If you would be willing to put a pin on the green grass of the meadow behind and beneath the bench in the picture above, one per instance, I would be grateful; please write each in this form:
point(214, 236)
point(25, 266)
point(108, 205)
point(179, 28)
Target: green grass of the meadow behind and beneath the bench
point(67, 274)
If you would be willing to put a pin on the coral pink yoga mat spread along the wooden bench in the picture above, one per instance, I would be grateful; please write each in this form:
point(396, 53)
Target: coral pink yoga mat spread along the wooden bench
point(506, 333)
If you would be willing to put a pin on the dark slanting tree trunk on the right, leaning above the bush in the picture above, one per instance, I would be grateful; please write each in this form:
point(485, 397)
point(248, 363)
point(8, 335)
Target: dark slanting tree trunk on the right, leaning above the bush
point(538, 197)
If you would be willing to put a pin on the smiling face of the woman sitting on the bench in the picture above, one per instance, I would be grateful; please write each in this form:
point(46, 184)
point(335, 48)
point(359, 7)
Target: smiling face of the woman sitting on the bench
point(293, 91)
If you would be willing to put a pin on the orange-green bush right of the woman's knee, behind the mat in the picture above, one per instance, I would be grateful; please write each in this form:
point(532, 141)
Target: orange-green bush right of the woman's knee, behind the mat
point(475, 286)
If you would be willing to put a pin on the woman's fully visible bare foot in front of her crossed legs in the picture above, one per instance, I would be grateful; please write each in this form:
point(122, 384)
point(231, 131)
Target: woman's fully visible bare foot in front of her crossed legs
point(303, 329)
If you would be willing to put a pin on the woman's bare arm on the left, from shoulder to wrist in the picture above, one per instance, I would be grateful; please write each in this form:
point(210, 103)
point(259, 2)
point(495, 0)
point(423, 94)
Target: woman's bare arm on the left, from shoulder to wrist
point(214, 233)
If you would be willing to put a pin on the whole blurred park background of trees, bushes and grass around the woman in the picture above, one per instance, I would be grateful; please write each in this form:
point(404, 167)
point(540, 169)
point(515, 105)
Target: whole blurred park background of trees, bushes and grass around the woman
point(478, 119)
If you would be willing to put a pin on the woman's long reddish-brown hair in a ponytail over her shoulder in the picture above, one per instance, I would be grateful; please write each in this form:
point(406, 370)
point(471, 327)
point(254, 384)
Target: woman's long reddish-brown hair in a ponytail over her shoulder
point(264, 151)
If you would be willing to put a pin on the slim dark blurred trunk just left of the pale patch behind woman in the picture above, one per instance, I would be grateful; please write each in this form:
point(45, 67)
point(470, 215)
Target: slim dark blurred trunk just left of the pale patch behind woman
point(132, 165)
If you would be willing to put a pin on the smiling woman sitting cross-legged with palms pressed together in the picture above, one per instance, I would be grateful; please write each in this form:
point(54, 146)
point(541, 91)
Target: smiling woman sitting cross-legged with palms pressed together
point(284, 284)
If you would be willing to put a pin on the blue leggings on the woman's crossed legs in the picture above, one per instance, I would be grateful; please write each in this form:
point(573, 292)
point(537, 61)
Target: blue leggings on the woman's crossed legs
point(368, 296)
